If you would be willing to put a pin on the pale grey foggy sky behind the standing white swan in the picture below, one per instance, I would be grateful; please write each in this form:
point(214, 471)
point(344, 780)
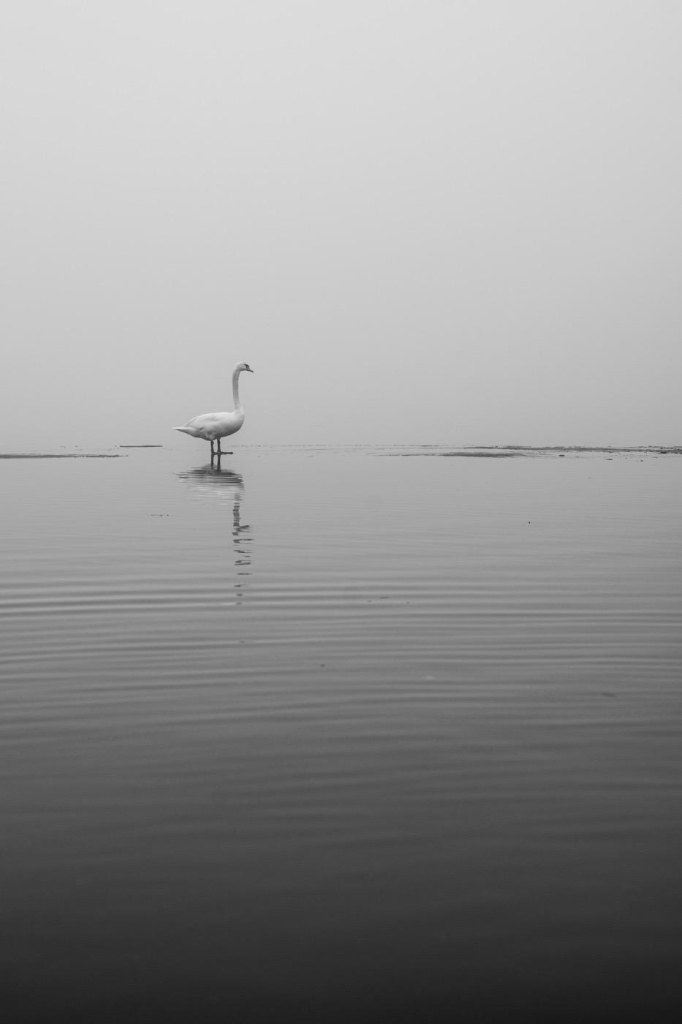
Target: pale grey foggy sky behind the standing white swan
point(419, 221)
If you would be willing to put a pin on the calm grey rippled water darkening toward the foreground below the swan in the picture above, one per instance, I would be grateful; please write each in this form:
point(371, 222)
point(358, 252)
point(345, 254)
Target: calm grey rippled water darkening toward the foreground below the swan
point(335, 732)
